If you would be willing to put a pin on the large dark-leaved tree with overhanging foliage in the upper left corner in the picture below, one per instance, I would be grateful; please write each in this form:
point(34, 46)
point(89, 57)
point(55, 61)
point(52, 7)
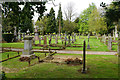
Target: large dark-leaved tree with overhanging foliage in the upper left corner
point(20, 16)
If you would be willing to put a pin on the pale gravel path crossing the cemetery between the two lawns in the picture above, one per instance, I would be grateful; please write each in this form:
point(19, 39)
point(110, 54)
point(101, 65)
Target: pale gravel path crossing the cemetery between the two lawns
point(72, 52)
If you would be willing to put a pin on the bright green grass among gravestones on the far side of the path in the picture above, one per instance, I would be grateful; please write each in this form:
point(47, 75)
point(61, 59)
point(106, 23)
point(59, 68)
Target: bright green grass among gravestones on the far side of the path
point(95, 44)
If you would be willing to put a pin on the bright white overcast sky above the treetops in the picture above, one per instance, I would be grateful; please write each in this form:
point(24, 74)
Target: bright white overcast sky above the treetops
point(79, 5)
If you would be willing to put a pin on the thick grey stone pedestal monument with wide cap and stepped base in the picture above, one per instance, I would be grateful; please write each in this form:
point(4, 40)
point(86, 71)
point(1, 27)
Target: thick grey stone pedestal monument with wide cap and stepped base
point(27, 47)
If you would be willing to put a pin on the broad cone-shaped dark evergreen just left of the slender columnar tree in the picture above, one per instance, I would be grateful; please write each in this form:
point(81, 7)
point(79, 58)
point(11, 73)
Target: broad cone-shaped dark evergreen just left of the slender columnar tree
point(51, 22)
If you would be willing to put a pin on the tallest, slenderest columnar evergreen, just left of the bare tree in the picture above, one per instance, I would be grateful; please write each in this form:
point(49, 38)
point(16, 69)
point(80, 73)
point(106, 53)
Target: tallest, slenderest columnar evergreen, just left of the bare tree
point(59, 20)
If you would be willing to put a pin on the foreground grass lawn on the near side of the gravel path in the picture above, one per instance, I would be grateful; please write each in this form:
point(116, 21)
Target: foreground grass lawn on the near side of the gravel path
point(99, 66)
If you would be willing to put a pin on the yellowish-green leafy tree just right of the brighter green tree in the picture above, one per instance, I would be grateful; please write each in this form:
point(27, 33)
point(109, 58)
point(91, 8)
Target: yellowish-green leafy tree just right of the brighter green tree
point(96, 22)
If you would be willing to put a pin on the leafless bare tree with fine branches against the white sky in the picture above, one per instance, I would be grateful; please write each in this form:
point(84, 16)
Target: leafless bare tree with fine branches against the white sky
point(70, 11)
